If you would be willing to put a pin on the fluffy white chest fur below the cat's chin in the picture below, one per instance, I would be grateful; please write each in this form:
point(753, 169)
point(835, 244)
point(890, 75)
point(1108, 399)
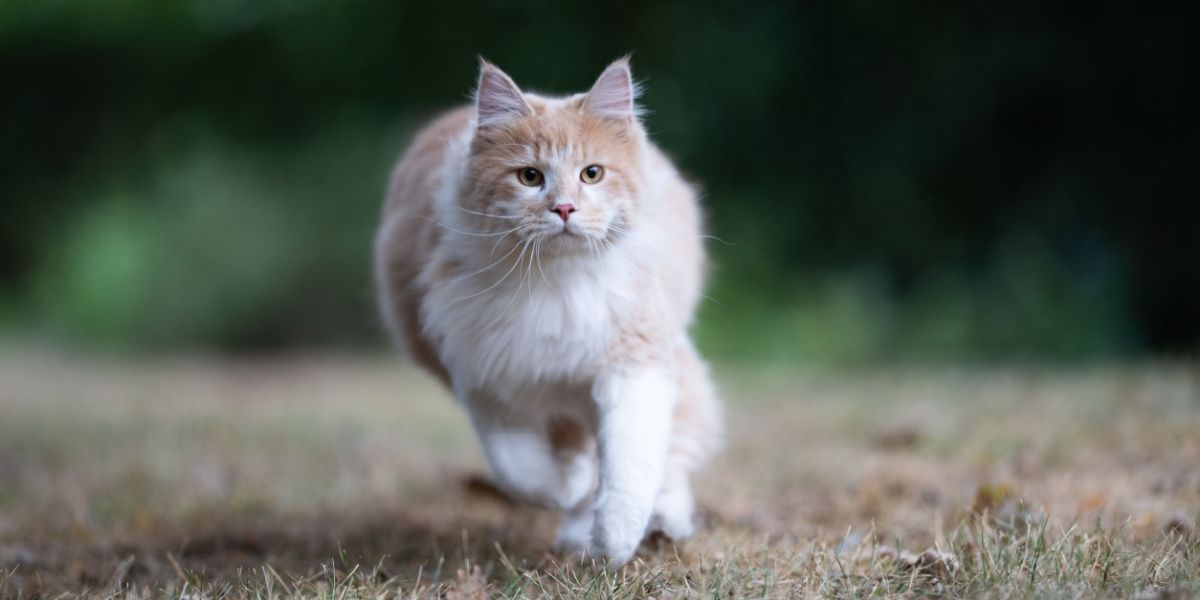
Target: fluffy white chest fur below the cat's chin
point(543, 323)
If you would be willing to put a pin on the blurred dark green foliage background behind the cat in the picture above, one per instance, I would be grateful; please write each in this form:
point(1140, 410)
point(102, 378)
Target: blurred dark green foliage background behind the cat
point(952, 183)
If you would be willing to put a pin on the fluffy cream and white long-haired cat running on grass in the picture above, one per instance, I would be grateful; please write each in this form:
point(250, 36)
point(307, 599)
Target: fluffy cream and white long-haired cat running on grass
point(544, 260)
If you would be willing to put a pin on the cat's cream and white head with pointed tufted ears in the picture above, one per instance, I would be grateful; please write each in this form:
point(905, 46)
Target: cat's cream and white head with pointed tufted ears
point(566, 172)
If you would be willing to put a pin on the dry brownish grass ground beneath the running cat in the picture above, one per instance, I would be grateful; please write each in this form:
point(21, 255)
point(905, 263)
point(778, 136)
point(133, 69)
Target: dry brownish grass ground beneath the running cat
point(357, 477)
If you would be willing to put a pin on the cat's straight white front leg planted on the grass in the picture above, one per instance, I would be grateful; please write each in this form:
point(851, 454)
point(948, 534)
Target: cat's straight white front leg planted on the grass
point(634, 407)
